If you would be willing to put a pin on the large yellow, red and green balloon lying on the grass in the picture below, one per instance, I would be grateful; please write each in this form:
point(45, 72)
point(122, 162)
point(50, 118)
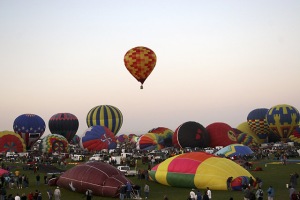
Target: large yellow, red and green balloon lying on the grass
point(197, 170)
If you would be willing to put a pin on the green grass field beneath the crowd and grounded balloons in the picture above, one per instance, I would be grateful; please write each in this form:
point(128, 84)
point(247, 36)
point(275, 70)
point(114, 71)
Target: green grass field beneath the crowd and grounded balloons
point(273, 173)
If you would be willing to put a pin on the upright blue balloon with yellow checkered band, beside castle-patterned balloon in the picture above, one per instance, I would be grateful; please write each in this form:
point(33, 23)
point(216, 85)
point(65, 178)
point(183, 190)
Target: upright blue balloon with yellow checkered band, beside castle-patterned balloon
point(258, 122)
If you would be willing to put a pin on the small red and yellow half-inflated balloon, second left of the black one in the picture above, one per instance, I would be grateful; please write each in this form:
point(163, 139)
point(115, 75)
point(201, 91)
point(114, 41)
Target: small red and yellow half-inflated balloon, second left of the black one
point(150, 141)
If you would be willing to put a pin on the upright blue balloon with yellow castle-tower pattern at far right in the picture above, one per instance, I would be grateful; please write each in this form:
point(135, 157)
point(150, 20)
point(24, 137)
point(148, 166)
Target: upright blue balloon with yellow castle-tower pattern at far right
point(282, 120)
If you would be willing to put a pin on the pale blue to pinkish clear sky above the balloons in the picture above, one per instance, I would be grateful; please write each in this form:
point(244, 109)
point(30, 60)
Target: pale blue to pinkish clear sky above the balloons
point(216, 60)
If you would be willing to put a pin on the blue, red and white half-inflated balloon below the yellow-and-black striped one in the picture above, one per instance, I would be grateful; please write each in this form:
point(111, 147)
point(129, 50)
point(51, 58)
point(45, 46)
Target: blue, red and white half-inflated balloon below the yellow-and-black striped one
point(97, 138)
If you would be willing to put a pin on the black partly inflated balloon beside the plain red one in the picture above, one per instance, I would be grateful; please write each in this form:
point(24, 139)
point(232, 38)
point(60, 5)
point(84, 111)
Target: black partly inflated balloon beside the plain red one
point(190, 134)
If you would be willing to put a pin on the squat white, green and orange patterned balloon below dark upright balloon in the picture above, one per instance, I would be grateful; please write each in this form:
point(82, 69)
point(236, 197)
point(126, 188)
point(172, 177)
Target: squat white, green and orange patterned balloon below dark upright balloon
point(54, 143)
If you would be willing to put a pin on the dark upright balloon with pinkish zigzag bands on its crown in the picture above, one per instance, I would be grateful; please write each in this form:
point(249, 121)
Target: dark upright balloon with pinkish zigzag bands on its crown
point(65, 124)
